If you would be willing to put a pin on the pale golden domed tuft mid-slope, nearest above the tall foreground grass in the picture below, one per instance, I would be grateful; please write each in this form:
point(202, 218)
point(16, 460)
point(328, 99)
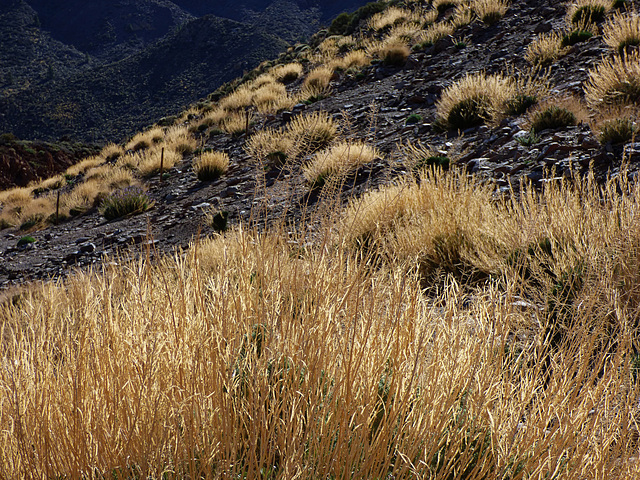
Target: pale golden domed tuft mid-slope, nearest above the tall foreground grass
point(337, 161)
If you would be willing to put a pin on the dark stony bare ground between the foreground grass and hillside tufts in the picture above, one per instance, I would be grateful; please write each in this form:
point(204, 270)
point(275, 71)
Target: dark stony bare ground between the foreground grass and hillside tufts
point(374, 106)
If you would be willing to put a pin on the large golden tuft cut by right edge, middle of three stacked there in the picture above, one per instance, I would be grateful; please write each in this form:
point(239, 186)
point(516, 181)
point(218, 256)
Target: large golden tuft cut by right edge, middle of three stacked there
point(615, 81)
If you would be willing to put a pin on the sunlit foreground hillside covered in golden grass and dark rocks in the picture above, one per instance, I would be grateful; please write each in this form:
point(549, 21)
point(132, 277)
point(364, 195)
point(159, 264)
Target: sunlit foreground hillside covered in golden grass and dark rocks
point(451, 297)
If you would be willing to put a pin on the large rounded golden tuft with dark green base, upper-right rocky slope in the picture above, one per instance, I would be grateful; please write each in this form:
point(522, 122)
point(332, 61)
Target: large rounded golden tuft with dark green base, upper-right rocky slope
point(474, 99)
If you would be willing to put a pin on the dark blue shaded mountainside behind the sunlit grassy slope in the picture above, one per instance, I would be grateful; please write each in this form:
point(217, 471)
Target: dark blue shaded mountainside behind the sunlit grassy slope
point(97, 71)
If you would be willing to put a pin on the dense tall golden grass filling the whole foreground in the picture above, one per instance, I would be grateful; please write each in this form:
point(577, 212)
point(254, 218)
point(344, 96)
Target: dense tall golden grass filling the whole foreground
point(251, 356)
